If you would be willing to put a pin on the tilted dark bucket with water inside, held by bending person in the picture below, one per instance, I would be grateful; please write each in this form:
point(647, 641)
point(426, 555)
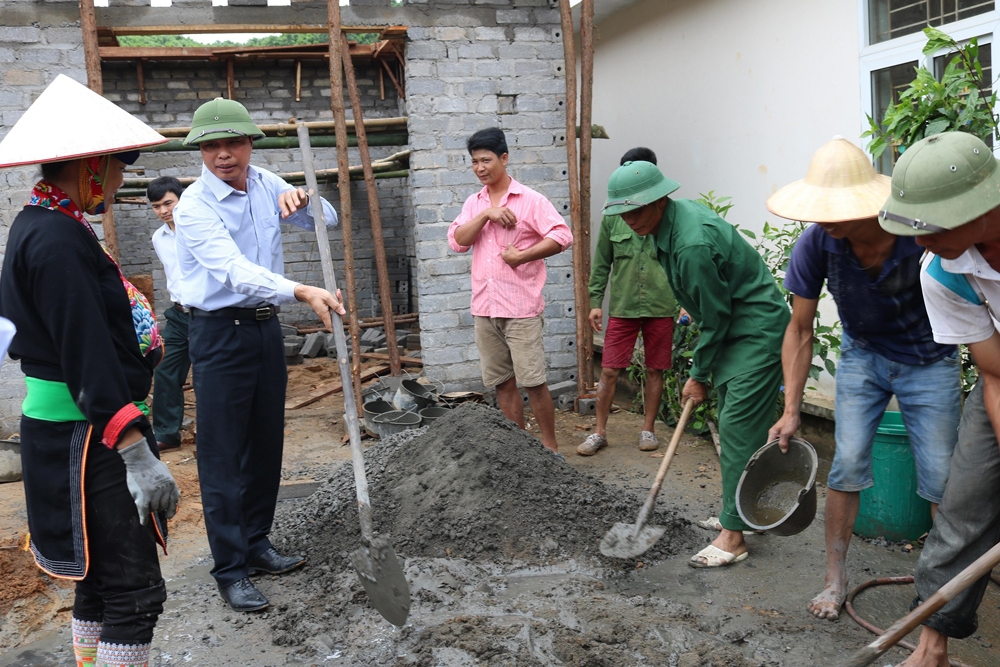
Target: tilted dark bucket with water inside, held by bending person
point(777, 492)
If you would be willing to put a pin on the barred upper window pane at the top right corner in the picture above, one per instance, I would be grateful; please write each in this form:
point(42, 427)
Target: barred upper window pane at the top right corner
point(889, 19)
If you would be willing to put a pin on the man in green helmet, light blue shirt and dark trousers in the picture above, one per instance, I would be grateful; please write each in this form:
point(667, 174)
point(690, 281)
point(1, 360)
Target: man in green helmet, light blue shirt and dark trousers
point(228, 226)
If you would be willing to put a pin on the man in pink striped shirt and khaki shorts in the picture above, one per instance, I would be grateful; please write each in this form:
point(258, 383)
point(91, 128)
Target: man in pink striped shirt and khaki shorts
point(511, 230)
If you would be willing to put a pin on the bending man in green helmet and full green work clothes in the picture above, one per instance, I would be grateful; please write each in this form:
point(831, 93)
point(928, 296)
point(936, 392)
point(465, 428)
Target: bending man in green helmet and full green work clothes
point(725, 285)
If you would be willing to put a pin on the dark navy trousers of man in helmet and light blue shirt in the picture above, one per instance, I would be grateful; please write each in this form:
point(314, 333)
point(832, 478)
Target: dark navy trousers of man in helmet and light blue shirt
point(239, 383)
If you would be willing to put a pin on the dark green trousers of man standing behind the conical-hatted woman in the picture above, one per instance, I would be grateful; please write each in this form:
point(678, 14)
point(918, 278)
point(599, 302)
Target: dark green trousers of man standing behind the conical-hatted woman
point(169, 377)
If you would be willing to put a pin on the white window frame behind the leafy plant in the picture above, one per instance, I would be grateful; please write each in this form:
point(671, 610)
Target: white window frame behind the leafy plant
point(985, 27)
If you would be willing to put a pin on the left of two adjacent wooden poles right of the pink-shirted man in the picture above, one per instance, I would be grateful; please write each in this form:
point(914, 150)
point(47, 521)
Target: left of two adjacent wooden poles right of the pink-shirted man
point(581, 297)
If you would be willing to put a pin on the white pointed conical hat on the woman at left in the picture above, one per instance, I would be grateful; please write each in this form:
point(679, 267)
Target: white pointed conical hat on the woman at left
point(67, 121)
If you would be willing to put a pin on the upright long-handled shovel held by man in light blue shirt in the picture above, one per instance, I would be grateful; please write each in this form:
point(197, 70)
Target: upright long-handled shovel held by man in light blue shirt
point(376, 562)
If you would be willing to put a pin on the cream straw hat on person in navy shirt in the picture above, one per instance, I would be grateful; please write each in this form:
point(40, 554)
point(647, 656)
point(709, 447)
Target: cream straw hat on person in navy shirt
point(840, 185)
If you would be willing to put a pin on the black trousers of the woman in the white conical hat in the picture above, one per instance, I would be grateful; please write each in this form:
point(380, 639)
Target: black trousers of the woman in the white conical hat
point(123, 588)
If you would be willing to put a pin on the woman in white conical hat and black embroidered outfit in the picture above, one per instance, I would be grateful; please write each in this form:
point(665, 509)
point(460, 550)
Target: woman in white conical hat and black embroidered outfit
point(97, 494)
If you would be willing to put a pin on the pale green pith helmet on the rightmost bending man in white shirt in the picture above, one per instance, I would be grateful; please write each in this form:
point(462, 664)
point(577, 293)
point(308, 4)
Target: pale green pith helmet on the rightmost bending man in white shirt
point(940, 183)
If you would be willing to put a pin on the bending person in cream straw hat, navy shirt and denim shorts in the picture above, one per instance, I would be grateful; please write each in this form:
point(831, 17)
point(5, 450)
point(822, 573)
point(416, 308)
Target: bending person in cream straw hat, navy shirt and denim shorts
point(887, 346)
